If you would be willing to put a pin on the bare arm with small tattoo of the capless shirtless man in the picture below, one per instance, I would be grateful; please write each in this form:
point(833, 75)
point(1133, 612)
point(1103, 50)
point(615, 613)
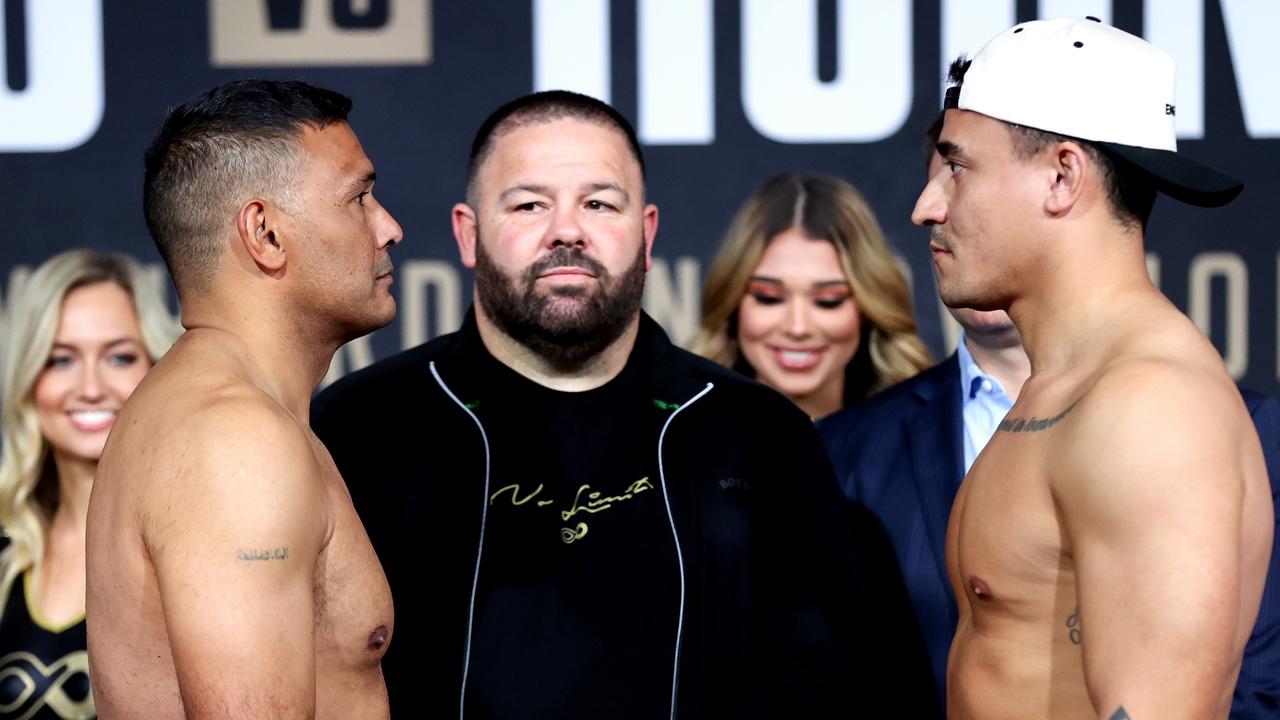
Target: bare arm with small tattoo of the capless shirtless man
point(234, 525)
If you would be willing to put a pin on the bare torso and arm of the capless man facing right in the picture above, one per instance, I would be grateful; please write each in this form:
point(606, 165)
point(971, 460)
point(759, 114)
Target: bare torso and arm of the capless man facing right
point(228, 573)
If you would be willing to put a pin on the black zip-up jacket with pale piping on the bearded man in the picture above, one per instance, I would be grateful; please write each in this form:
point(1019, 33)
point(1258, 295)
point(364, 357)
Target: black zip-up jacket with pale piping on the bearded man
point(785, 613)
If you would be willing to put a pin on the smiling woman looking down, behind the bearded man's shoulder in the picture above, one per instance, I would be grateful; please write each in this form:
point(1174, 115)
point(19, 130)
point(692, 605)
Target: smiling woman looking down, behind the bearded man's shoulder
point(806, 297)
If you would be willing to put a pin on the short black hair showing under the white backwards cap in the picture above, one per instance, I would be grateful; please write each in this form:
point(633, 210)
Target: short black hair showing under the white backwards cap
point(1131, 192)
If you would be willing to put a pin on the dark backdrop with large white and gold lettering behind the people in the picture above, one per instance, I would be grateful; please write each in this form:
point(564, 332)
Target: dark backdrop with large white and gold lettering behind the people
point(725, 95)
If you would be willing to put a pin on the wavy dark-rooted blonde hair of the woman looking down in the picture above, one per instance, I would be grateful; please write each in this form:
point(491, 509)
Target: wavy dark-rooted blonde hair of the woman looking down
point(826, 208)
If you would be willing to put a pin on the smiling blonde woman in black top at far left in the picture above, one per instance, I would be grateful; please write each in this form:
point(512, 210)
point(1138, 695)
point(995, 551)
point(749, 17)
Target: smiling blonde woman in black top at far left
point(79, 338)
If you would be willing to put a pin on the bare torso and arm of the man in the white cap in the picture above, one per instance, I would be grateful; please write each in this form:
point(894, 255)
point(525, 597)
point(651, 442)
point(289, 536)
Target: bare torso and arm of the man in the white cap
point(1110, 545)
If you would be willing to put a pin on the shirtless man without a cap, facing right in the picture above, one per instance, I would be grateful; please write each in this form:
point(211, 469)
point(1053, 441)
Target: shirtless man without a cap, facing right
point(228, 573)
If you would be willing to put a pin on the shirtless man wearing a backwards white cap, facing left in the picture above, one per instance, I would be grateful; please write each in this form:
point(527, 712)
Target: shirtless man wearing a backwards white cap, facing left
point(1110, 545)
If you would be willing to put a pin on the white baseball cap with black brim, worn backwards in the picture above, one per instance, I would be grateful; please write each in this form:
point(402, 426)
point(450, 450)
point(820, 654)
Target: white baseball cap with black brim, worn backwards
point(1090, 81)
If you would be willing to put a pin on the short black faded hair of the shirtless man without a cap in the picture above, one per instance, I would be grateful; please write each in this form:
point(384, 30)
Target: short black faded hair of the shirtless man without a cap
point(218, 149)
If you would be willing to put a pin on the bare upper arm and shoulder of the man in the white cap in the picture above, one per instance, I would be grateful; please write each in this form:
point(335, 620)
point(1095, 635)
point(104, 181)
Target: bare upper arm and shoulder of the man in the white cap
point(1150, 484)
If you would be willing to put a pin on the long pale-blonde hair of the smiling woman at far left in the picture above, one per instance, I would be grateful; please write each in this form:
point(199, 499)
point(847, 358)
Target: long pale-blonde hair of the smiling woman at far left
point(29, 482)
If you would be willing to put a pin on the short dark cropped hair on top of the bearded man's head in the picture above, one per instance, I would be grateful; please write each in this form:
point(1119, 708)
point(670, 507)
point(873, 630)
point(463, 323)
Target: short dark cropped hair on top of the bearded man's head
point(541, 108)
